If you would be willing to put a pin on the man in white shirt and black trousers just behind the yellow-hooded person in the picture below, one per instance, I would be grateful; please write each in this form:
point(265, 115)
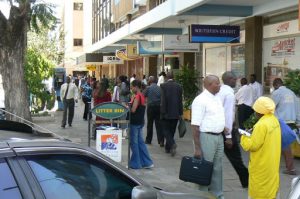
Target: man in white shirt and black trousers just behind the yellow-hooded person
point(245, 100)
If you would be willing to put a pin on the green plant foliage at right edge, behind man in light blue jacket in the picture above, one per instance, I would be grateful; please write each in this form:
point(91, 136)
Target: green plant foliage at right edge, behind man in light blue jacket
point(292, 81)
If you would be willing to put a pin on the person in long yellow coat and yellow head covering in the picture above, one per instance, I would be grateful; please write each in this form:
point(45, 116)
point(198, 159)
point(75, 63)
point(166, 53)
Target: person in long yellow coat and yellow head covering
point(264, 146)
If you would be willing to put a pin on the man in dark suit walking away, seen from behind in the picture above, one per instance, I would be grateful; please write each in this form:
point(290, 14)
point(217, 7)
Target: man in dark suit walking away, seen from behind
point(171, 110)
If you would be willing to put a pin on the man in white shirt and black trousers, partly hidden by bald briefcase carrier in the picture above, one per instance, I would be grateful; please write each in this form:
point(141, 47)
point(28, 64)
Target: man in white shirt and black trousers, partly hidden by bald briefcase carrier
point(231, 147)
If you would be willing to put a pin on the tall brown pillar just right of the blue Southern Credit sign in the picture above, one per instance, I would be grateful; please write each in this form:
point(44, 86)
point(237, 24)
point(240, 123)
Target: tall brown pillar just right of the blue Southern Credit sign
point(253, 46)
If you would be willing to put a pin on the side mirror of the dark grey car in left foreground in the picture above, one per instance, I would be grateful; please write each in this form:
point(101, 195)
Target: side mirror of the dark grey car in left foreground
point(143, 192)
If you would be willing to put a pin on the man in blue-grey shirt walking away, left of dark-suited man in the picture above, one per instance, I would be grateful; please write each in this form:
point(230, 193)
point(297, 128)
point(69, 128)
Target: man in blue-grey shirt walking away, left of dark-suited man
point(152, 93)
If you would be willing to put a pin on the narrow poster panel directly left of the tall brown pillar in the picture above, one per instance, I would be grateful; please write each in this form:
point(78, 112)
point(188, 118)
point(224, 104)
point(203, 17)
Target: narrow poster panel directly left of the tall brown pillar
point(238, 60)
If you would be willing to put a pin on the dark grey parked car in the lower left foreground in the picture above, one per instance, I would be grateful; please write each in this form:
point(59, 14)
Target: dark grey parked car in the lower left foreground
point(39, 165)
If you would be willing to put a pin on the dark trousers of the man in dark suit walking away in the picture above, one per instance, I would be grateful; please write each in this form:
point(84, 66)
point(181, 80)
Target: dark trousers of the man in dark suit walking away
point(169, 128)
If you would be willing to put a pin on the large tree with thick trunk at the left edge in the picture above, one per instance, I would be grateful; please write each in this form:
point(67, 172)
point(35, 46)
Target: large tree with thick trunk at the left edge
point(13, 42)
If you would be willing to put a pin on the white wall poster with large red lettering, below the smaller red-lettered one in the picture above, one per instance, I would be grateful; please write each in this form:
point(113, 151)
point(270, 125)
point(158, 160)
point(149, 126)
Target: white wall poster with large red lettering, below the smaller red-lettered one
point(280, 56)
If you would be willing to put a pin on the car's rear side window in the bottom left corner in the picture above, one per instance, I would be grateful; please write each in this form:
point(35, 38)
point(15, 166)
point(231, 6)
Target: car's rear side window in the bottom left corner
point(8, 185)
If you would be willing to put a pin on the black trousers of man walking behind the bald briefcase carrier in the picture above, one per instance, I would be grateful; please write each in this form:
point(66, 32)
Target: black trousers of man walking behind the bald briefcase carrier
point(235, 158)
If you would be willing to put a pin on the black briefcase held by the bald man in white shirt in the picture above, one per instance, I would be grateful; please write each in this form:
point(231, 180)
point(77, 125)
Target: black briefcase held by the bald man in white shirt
point(197, 171)
